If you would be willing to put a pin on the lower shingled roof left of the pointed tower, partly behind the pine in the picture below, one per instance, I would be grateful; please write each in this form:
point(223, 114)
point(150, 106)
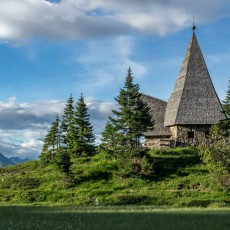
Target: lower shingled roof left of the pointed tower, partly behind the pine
point(157, 110)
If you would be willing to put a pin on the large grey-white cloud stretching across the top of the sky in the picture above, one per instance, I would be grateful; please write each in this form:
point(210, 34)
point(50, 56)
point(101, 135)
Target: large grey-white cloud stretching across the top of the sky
point(71, 19)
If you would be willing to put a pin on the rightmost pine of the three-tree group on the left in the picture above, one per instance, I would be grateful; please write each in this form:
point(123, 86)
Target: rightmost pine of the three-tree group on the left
point(82, 130)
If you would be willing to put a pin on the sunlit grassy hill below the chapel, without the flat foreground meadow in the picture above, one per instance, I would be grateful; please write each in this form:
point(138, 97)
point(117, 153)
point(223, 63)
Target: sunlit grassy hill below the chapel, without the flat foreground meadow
point(180, 179)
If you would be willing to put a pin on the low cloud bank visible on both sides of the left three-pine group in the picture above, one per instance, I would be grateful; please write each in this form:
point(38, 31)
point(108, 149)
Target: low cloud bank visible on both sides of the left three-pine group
point(23, 126)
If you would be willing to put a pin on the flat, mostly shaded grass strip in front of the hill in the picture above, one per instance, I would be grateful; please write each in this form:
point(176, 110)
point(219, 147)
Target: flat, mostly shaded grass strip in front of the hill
point(128, 217)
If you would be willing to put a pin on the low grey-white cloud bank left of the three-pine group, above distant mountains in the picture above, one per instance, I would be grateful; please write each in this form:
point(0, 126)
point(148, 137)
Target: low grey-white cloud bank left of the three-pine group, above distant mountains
point(23, 125)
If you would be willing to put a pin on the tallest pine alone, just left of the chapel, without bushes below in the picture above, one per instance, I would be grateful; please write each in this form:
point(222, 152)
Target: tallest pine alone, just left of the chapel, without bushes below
point(133, 117)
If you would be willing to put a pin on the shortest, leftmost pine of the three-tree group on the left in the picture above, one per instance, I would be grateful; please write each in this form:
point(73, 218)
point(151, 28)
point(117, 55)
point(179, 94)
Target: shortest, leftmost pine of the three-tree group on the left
point(51, 141)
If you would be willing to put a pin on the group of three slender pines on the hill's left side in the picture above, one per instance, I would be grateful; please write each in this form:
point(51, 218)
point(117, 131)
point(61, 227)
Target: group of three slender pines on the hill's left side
point(71, 136)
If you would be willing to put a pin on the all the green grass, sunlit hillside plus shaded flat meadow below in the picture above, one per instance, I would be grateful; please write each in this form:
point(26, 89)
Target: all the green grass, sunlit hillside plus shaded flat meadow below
point(180, 194)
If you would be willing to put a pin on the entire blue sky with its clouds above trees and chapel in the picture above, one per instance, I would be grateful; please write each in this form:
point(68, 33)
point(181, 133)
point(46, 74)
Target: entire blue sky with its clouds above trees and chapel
point(49, 49)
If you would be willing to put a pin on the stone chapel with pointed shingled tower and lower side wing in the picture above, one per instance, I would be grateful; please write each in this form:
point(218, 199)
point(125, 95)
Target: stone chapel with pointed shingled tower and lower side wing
point(186, 118)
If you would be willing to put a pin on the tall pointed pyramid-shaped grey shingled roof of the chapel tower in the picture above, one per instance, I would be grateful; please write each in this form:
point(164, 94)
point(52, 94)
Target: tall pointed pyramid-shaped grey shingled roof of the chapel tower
point(194, 99)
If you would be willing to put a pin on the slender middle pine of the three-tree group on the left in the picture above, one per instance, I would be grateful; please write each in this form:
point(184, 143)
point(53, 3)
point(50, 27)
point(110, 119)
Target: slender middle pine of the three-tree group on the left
point(67, 119)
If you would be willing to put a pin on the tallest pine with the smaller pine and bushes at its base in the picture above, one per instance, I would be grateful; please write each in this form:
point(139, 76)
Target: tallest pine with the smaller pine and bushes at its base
point(123, 131)
